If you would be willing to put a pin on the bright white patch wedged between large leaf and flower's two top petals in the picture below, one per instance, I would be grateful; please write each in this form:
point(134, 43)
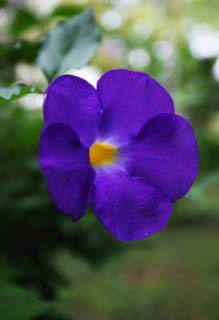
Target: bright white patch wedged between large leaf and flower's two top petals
point(89, 73)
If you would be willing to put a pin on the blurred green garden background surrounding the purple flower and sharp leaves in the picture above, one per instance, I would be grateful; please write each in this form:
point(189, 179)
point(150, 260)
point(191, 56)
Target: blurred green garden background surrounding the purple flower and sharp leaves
point(51, 268)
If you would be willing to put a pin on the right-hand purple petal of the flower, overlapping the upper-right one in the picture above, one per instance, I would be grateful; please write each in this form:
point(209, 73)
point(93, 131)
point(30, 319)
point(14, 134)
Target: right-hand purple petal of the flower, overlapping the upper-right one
point(166, 154)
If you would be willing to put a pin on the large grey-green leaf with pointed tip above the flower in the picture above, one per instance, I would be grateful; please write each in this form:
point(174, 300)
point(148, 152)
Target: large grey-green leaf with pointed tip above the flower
point(71, 44)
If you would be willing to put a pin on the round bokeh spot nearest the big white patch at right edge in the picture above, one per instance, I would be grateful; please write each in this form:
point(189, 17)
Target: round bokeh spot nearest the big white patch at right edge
point(164, 50)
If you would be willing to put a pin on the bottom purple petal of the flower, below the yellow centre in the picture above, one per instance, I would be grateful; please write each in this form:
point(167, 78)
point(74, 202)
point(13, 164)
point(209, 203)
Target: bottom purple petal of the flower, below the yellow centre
point(129, 208)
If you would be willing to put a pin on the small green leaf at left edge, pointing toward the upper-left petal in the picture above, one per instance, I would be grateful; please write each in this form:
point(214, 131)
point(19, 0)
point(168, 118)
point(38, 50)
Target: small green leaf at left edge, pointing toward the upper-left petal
point(16, 91)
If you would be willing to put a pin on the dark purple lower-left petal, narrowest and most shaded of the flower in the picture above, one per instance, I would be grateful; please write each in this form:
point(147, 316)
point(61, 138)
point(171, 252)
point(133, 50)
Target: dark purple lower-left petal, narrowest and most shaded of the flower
point(65, 165)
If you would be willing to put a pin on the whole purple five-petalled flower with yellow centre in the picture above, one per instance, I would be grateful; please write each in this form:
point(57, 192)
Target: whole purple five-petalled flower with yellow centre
point(120, 148)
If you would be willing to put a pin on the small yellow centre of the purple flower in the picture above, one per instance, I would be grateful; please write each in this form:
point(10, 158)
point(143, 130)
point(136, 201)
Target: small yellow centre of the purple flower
point(102, 154)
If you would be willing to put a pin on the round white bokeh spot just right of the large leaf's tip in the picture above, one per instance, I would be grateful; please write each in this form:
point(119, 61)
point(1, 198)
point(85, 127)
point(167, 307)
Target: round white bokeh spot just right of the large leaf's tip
point(111, 20)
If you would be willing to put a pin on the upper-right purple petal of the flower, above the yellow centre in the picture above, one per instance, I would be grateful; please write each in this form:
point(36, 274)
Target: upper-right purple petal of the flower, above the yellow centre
point(129, 99)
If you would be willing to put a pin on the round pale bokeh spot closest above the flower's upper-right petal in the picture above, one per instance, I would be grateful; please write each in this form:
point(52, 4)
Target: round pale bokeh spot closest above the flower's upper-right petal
point(138, 58)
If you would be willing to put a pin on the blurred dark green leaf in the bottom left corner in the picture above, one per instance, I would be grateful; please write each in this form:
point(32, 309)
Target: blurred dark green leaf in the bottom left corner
point(19, 304)
